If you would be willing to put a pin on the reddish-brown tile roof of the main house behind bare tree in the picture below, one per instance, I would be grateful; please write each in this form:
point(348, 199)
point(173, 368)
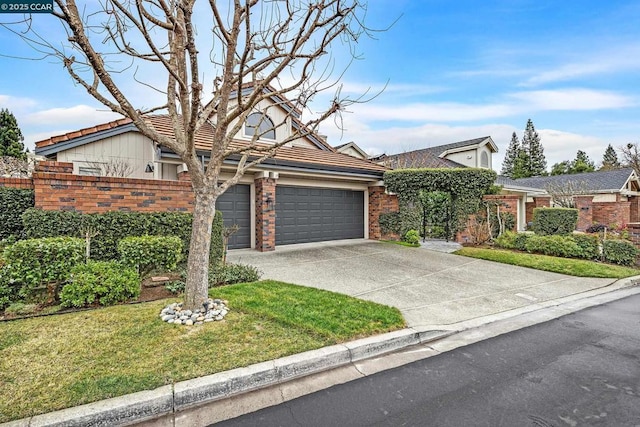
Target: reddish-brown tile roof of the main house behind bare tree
point(301, 155)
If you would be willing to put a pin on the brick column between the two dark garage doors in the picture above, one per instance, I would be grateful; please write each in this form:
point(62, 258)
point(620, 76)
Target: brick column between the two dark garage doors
point(265, 212)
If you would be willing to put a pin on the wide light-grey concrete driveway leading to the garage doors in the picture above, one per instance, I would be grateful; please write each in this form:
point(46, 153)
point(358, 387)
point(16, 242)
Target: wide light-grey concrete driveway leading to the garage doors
point(432, 289)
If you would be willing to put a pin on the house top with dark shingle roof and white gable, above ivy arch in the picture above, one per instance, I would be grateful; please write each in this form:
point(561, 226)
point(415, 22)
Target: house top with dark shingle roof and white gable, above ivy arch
point(473, 153)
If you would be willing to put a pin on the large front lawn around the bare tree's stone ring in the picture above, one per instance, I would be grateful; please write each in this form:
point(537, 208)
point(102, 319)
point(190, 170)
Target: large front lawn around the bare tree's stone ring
point(55, 362)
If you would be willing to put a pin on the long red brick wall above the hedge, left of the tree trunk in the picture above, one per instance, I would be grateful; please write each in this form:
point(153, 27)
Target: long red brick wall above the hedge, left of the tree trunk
point(56, 189)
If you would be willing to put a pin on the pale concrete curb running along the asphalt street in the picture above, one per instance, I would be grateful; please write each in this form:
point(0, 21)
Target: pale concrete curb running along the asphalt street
point(168, 400)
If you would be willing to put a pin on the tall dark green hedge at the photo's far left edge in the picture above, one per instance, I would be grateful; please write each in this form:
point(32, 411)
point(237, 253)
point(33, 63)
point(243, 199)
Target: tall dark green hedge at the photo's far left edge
point(13, 203)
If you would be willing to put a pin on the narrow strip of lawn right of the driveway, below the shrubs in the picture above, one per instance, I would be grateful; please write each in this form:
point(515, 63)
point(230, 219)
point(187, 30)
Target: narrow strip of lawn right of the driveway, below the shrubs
point(570, 266)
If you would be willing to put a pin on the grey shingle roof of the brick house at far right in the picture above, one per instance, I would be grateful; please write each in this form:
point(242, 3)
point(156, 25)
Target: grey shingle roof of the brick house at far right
point(613, 180)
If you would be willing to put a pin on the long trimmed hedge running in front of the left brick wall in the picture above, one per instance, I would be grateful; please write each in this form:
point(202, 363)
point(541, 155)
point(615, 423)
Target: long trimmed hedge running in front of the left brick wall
point(110, 227)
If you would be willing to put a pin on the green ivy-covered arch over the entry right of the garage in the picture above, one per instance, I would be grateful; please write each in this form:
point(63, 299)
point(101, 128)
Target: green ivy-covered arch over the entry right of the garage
point(465, 187)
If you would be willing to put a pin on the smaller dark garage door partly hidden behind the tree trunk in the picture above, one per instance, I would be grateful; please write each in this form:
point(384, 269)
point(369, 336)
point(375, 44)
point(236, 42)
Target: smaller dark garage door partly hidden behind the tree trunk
point(235, 205)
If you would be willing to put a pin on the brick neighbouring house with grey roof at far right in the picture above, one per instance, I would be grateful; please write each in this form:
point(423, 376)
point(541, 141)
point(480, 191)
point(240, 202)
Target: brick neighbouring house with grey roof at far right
point(606, 197)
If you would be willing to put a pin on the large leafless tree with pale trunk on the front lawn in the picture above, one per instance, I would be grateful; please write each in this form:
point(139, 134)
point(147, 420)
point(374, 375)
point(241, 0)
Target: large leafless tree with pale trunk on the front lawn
point(220, 61)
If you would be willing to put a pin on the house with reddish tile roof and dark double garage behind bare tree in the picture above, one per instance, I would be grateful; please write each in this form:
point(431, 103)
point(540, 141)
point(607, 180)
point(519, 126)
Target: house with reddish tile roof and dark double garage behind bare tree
point(307, 192)
